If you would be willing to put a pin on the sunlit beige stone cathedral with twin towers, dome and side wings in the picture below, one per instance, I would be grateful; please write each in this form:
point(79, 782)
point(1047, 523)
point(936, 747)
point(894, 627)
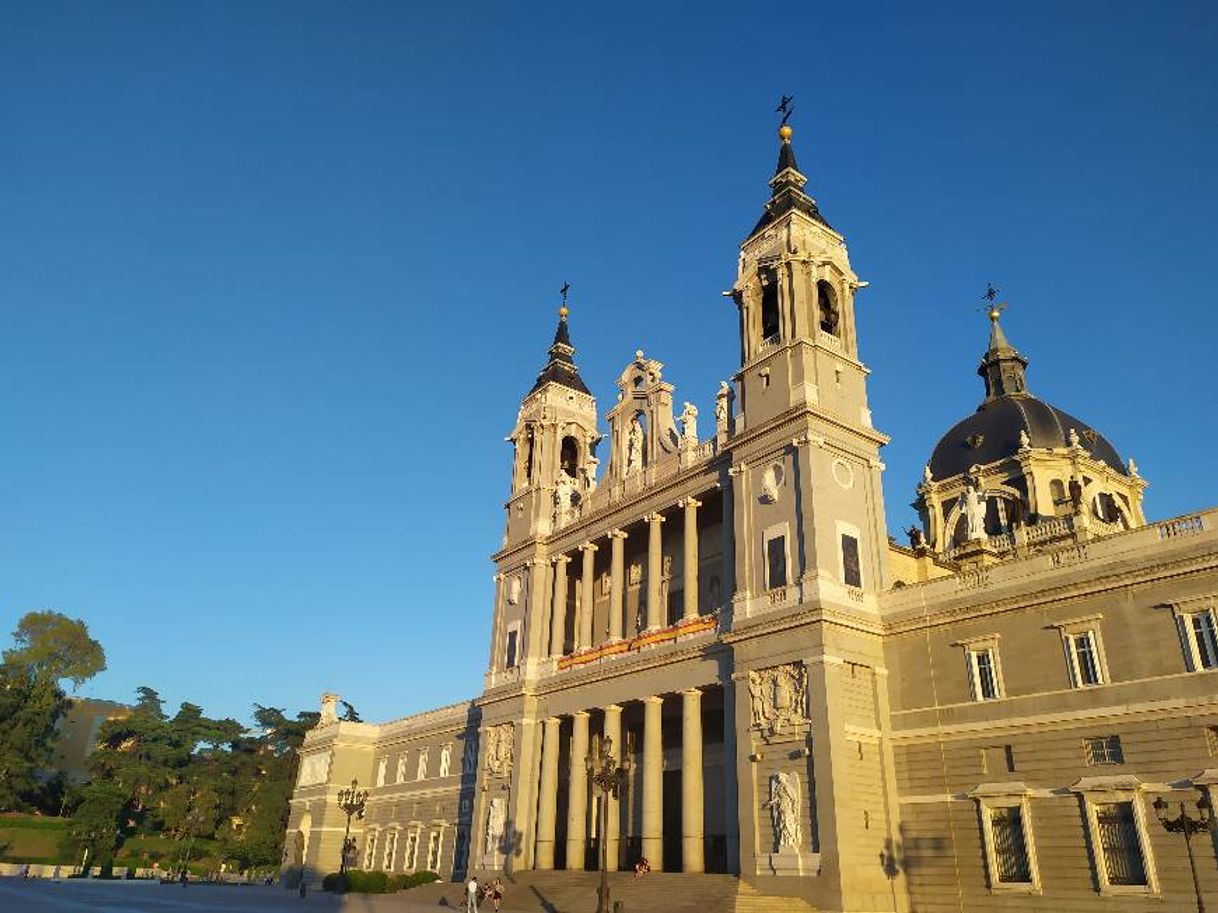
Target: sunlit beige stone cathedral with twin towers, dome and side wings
point(711, 660)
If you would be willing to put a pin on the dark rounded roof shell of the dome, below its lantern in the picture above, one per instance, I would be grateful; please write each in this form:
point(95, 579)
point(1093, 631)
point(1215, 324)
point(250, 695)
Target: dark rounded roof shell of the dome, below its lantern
point(992, 434)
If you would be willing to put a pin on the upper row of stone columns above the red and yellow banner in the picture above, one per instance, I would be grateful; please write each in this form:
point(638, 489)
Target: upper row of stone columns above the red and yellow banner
point(656, 607)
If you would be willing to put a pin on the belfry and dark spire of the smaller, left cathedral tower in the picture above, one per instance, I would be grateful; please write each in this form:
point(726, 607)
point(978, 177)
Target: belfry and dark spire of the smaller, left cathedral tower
point(555, 463)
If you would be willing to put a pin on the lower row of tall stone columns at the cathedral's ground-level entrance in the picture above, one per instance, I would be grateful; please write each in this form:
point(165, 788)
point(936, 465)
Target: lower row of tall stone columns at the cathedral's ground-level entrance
point(650, 778)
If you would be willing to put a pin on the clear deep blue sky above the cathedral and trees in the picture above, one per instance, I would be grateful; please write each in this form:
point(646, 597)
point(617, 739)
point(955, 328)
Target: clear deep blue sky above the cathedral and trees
point(276, 276)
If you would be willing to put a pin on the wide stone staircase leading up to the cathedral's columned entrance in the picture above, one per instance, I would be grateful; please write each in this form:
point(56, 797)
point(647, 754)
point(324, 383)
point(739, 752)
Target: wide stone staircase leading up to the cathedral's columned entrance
point(656, 893)
